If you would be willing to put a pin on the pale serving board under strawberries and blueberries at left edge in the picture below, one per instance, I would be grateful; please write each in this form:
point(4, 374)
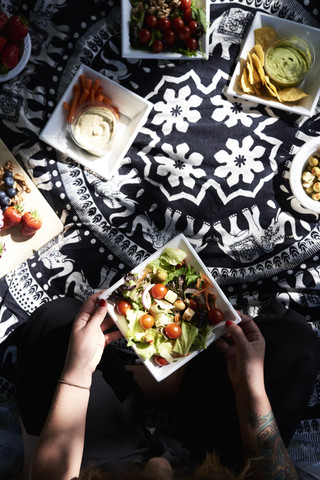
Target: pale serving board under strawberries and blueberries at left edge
point(18, 247)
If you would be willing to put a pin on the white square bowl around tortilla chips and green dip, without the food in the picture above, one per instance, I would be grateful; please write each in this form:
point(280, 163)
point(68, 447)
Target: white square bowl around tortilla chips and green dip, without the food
point(311, 85)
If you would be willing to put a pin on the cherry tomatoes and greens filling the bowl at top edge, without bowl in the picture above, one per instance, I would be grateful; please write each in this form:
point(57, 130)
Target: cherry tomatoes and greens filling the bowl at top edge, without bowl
point(175, 25)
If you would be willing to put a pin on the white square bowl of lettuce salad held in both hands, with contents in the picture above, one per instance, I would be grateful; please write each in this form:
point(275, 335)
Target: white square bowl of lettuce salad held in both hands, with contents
point(169, 308)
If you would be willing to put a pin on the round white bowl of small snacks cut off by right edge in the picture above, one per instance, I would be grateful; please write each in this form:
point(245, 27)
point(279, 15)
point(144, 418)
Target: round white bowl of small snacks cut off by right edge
point(305, 175)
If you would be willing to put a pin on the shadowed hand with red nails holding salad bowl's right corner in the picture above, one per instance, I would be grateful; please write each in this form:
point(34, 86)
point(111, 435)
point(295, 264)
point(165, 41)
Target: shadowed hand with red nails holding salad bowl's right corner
point(243, 349)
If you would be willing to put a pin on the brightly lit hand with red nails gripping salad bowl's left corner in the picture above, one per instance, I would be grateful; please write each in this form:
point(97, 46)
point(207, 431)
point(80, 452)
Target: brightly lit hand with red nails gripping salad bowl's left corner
point(87, 340)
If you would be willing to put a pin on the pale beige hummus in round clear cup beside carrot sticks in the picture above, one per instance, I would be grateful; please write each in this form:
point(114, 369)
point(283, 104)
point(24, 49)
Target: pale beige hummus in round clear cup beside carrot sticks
point(93, 128)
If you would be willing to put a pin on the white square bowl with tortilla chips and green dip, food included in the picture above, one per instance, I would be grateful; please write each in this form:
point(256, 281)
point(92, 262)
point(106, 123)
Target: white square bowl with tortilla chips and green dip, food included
point(261, 59)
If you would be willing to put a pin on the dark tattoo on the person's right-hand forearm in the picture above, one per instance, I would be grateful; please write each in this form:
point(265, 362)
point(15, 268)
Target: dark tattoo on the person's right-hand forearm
point(276, 460)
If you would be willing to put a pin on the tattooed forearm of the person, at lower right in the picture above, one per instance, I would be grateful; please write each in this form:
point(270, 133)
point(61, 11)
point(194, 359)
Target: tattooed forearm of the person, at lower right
point(261, 437)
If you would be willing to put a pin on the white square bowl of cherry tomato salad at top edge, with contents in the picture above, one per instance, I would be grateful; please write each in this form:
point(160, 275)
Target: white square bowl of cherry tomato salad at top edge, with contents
point(176, 29)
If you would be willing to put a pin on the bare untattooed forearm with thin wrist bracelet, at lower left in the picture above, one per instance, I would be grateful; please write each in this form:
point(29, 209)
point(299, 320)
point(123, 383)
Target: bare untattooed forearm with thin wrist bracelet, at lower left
point(59, 452)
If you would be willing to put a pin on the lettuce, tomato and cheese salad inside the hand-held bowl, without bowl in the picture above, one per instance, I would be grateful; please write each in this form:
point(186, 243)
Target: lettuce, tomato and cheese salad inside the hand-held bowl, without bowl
point(170, 308)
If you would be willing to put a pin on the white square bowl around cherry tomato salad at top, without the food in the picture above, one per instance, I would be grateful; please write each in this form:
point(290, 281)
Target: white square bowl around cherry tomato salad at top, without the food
point(129, 52)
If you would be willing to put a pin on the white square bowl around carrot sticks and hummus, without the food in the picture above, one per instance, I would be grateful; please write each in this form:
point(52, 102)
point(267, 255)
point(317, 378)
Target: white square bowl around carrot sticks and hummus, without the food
point(133, 110)
